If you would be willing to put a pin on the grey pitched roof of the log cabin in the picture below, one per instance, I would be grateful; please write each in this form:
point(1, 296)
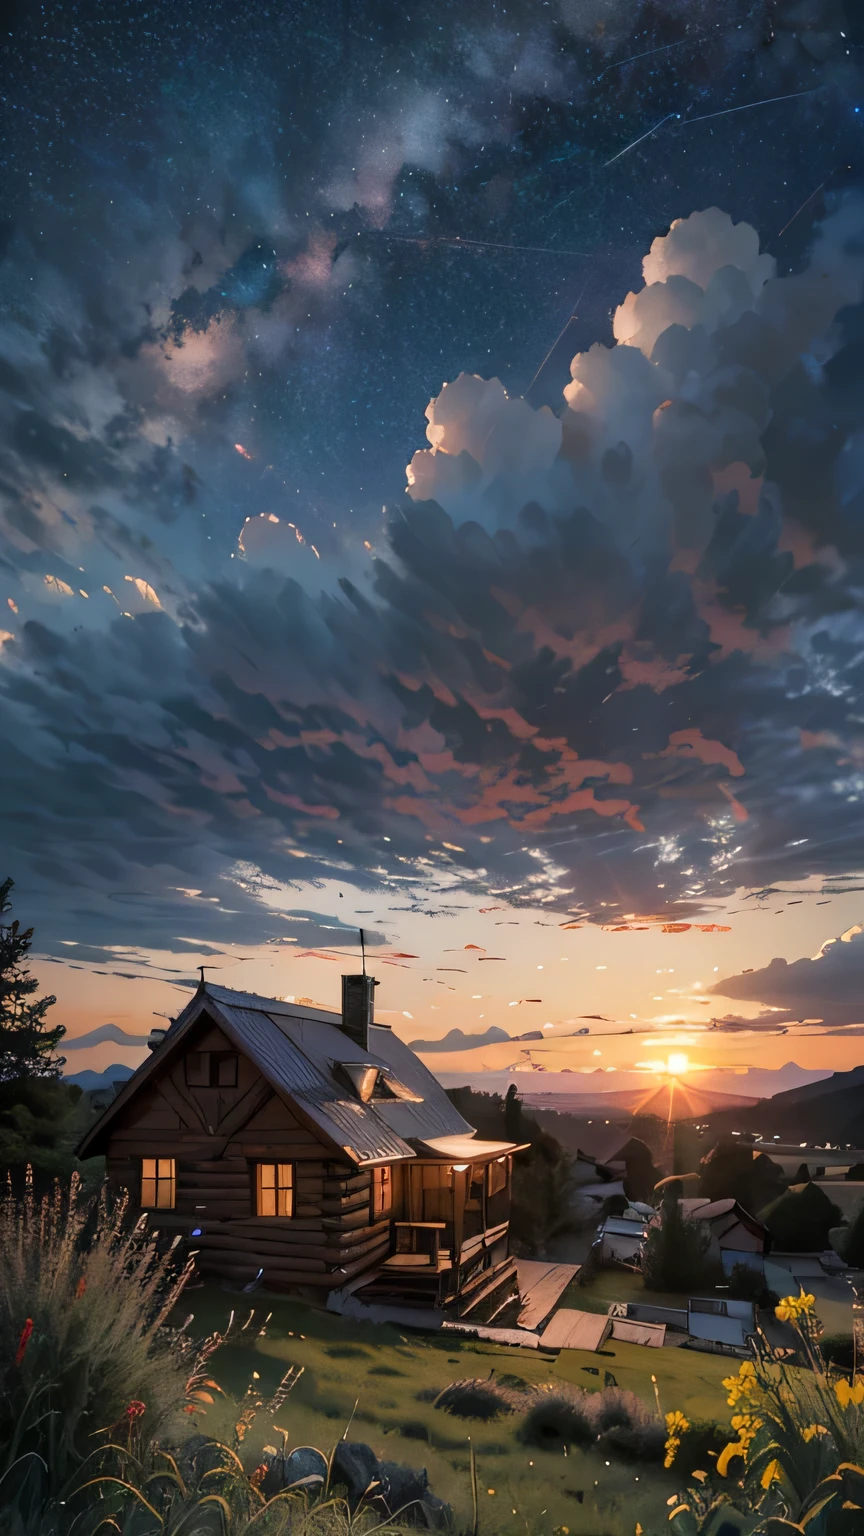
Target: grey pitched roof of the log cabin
point(296, 1050)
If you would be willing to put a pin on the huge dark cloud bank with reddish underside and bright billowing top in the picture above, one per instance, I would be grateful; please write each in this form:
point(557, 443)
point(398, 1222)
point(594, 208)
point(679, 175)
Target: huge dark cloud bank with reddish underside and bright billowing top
point(608, 654)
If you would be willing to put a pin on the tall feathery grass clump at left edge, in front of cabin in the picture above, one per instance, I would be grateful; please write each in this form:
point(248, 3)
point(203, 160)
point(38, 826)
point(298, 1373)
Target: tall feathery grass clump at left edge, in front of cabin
point(85, 1346)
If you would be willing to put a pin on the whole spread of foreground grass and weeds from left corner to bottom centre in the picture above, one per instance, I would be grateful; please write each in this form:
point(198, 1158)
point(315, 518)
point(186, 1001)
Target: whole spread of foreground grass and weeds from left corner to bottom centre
point(96, 1386)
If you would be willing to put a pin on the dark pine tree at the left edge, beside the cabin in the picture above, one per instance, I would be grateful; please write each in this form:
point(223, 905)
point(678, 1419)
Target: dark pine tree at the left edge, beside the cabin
point(27, 1041)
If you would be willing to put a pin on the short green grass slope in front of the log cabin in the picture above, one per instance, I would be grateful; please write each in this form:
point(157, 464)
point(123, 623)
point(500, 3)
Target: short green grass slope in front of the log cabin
point(377, 1379)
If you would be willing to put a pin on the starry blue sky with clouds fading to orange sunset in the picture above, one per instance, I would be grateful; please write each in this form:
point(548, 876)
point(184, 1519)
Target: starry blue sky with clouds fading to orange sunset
point(433, 502)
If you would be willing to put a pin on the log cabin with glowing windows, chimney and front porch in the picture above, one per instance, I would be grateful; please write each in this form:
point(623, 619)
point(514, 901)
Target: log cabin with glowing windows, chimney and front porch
point(313, 1151)
